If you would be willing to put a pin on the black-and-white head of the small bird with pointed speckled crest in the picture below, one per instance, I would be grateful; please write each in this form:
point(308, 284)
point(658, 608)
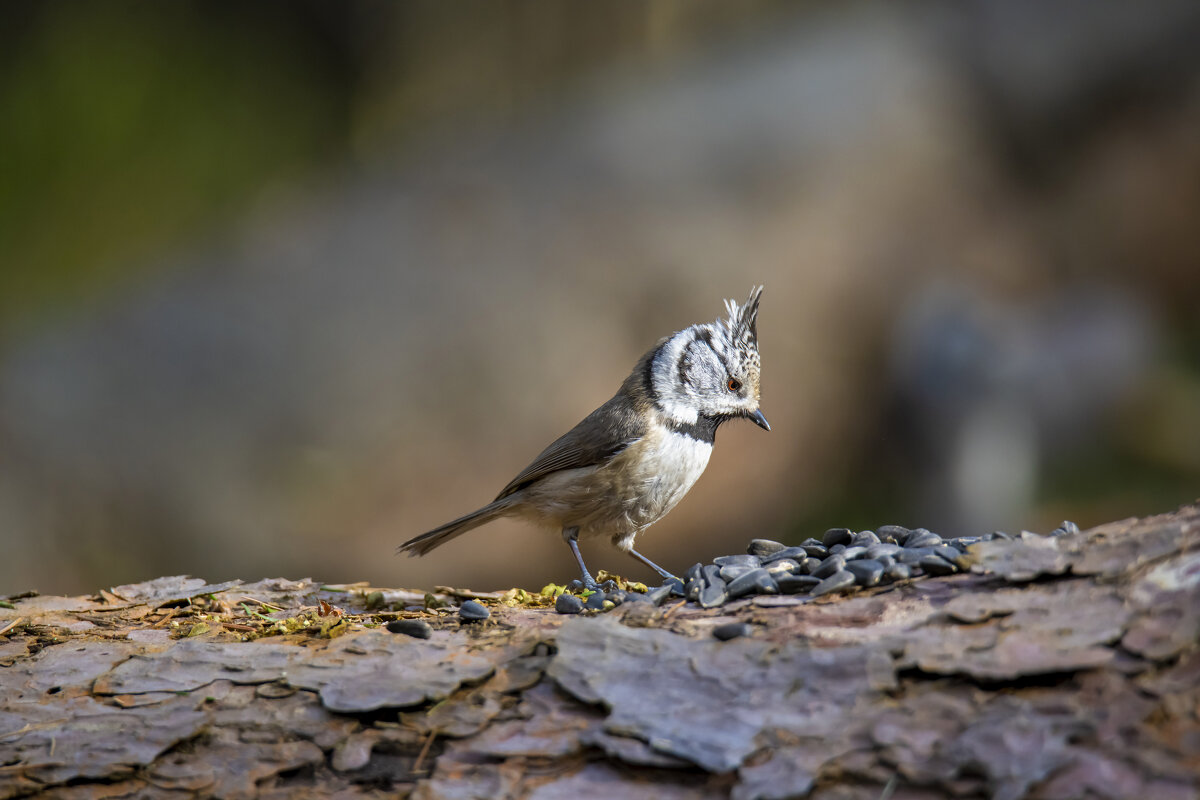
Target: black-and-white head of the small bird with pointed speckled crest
point(710, 372)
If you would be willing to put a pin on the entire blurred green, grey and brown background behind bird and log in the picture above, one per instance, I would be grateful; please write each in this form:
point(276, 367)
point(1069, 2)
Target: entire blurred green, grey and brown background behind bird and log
point(285, 285)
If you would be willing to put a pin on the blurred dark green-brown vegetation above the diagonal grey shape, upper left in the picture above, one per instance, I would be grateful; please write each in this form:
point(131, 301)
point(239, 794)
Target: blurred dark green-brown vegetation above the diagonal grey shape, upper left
point(131, 128)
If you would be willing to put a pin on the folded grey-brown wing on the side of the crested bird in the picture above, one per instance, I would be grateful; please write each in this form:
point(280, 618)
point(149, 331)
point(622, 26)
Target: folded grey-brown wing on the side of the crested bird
point(599, 437)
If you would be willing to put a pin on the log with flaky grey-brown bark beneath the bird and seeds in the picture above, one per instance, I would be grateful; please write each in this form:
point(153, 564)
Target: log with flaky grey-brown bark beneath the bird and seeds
point(1060, 669)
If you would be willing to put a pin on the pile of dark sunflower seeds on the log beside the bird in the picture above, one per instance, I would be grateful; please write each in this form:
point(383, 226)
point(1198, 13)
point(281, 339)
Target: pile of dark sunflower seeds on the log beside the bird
point(842, 561)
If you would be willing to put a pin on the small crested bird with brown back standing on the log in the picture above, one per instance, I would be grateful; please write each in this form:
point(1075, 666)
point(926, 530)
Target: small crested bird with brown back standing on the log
point(629, 462)
